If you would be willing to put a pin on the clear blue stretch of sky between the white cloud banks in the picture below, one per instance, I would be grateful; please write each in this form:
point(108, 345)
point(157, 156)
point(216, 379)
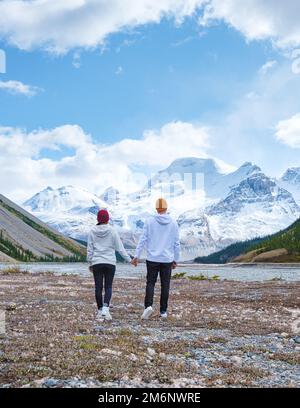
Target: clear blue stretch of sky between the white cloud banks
point(166, 73)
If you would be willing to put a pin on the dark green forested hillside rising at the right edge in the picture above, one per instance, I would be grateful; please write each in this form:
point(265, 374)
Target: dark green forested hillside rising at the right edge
point(284, 246)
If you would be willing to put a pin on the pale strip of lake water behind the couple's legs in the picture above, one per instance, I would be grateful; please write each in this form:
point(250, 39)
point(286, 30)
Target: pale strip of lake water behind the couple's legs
point(230, 272)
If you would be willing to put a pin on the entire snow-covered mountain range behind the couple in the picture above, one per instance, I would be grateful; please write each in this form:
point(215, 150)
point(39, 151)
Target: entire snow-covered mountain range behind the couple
point(213, 207)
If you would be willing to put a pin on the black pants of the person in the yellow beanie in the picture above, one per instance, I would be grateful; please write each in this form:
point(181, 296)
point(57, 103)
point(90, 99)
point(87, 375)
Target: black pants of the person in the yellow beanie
point(164, 270)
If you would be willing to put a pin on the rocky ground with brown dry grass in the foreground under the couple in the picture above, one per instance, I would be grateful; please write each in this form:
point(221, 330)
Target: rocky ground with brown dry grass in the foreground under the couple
point(218, 334)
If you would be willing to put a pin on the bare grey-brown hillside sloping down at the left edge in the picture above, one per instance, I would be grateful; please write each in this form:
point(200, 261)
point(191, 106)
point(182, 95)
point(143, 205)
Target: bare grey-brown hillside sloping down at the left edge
point(25, 238)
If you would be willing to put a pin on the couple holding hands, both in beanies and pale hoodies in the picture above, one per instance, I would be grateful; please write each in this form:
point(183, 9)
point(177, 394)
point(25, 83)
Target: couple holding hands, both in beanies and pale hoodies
point(160, 239)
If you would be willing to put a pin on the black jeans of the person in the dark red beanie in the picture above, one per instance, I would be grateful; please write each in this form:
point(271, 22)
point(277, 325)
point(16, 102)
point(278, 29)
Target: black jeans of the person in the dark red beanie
point(106, 273)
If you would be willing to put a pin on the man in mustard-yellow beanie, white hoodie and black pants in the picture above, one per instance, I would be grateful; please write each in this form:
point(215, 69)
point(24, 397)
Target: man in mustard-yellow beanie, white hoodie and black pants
point(160, 238)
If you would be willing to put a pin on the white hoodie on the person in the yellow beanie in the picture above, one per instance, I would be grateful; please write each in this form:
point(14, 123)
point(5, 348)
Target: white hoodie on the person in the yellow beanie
point(160, 237)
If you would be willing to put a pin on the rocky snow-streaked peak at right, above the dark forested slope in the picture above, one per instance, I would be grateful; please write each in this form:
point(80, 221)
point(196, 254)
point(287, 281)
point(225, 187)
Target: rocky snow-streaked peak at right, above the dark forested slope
point(255, 207)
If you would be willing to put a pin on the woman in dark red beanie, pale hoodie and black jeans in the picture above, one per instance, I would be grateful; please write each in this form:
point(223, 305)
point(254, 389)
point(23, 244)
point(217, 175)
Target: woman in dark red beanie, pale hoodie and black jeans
point(103, 242)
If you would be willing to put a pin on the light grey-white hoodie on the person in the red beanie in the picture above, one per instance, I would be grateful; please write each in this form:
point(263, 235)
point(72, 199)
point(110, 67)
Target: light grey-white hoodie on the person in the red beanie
point(103, 242)
